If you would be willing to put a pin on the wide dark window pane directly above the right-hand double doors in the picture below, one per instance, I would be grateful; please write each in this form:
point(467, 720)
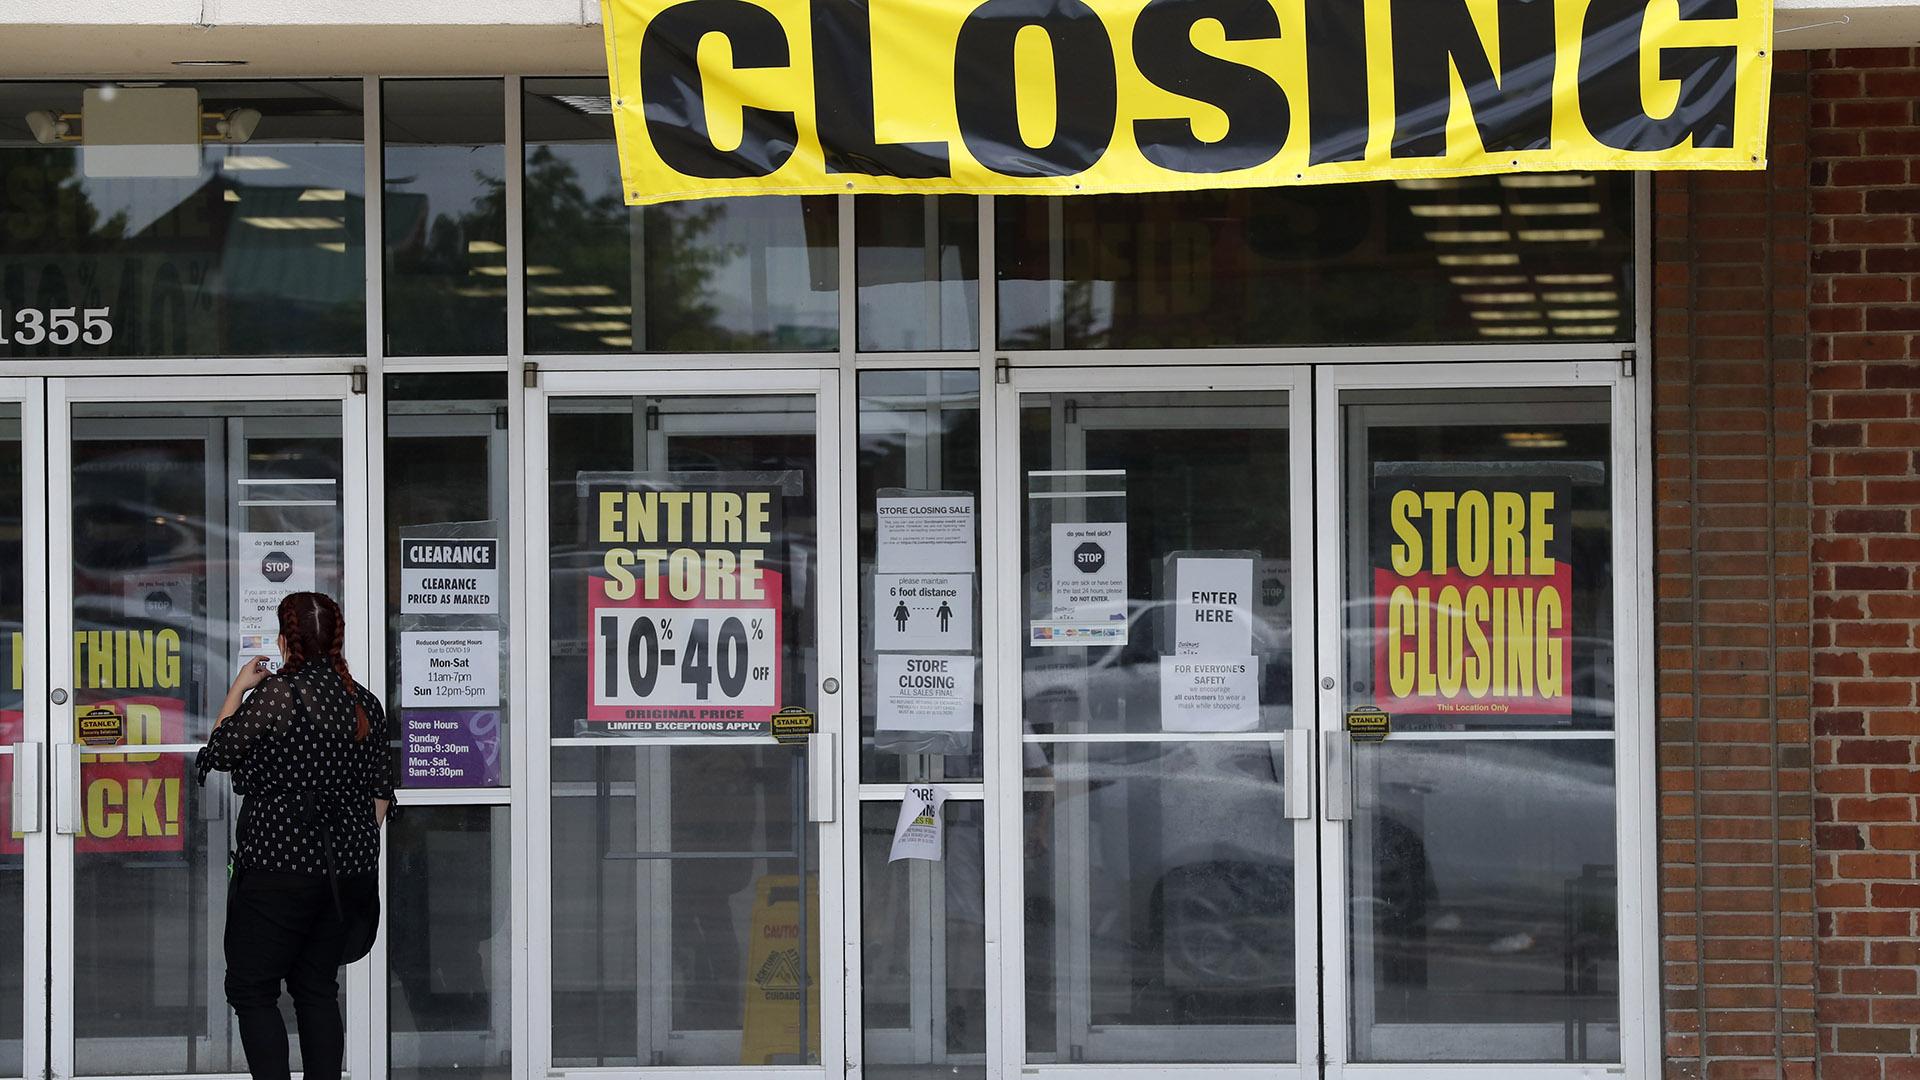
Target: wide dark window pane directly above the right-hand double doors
point(1545, 258)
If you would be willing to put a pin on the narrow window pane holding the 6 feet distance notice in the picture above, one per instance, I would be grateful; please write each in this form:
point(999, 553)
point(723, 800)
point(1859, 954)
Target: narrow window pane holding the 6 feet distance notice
point(919, 602)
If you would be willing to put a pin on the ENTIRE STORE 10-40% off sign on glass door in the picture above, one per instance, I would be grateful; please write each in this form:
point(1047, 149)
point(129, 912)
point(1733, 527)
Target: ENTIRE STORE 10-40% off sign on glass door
point(684, 616)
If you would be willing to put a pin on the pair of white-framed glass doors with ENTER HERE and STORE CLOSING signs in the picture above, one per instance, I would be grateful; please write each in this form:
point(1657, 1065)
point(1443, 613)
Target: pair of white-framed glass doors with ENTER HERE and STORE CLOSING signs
point(1318, 720)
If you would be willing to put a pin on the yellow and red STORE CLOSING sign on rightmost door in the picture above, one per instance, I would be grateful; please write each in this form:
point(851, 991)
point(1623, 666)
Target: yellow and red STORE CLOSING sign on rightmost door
point(1474, 597)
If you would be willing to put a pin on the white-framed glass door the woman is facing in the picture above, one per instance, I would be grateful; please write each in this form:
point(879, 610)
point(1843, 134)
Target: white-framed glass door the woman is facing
point(183, 522)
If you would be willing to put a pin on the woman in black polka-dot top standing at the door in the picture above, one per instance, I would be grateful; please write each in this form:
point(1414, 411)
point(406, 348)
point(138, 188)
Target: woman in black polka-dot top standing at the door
point(310, 754)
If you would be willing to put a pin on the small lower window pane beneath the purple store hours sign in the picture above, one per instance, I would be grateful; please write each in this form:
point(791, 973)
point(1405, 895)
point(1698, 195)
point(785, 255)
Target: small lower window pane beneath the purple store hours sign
point(450, 945)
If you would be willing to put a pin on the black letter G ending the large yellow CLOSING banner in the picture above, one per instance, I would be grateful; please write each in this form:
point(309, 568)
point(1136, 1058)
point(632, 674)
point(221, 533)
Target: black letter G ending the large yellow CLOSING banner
point(1612, 105)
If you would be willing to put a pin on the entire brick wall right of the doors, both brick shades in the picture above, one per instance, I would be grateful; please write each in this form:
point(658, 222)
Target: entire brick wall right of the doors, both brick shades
point(1788, 426)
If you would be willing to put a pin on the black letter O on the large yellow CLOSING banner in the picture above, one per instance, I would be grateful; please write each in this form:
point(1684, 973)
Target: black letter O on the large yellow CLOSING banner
point(1086, 93)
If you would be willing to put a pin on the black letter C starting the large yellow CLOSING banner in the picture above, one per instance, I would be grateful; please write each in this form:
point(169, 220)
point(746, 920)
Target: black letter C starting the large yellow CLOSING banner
point(675, 97)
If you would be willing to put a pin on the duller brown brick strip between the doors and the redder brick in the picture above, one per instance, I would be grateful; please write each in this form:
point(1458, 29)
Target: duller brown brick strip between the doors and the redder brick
point(1733, 610)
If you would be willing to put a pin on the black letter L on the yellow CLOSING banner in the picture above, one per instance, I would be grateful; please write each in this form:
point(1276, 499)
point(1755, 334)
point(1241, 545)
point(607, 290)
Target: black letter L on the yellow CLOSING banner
point(844, 101)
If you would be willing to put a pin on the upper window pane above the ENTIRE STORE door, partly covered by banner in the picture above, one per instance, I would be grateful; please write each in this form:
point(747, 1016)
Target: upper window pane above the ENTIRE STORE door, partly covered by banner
point(706, 276)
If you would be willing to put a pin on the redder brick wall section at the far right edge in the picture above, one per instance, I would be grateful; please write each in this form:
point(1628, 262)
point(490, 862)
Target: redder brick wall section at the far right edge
point(1867, 558)
